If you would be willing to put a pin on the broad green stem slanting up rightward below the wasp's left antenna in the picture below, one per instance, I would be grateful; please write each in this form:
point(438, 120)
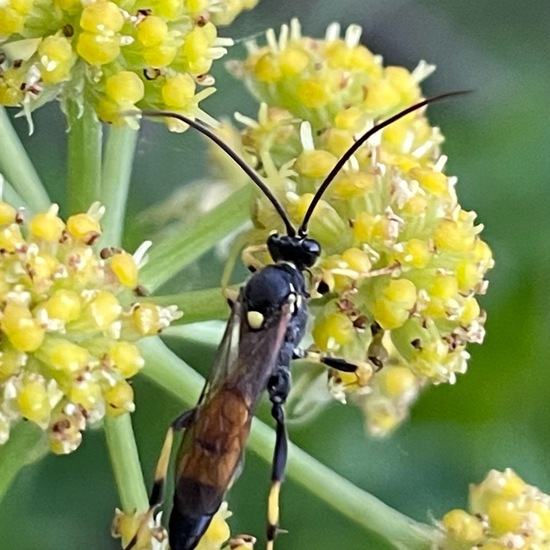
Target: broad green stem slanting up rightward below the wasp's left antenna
point(184, 245)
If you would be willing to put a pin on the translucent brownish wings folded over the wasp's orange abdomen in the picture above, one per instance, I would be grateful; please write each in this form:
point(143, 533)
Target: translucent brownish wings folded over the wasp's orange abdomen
point(213, 445)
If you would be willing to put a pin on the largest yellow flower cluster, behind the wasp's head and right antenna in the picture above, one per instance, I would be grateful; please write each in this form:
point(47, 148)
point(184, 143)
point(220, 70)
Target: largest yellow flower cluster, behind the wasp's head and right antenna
point(402, 260)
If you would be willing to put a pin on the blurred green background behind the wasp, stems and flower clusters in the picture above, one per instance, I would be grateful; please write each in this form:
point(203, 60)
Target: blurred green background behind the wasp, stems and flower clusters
point(496, 416)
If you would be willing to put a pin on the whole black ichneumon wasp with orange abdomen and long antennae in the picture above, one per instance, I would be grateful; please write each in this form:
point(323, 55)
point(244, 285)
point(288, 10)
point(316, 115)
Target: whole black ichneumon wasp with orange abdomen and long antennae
point(267, 322)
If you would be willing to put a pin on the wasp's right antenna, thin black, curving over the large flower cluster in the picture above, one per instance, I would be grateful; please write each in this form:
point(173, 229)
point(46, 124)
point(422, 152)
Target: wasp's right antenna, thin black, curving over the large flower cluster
point(302, 230)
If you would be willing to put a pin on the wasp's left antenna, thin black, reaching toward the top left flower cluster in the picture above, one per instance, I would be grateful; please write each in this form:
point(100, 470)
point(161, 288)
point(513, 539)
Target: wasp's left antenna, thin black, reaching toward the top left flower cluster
point(247, 169)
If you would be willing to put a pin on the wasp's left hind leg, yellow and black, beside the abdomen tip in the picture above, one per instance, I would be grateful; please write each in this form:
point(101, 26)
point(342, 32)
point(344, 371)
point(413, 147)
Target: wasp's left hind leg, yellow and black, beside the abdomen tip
point(157, 492)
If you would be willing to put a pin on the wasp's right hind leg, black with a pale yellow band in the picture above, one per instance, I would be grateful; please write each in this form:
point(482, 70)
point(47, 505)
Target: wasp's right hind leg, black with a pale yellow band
point(278, 388)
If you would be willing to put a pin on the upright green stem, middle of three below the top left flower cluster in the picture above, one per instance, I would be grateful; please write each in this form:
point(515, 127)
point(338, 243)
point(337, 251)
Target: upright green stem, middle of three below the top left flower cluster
point(84, 157)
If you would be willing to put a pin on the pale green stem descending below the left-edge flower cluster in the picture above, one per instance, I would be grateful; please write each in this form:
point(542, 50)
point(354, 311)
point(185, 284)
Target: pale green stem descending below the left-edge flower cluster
point(125, 462)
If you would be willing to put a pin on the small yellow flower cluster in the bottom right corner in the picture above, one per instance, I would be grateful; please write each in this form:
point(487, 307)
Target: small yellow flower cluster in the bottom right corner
point(504, 512)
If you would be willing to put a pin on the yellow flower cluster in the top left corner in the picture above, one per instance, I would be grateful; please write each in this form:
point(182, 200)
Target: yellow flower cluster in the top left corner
point(114, 55)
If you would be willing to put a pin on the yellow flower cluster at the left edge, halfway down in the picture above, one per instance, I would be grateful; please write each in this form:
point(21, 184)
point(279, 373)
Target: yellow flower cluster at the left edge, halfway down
point(69, 320)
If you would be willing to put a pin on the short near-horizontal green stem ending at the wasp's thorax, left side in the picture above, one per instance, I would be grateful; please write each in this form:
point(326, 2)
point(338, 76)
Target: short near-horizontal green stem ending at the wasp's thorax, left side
point(197, 305)
